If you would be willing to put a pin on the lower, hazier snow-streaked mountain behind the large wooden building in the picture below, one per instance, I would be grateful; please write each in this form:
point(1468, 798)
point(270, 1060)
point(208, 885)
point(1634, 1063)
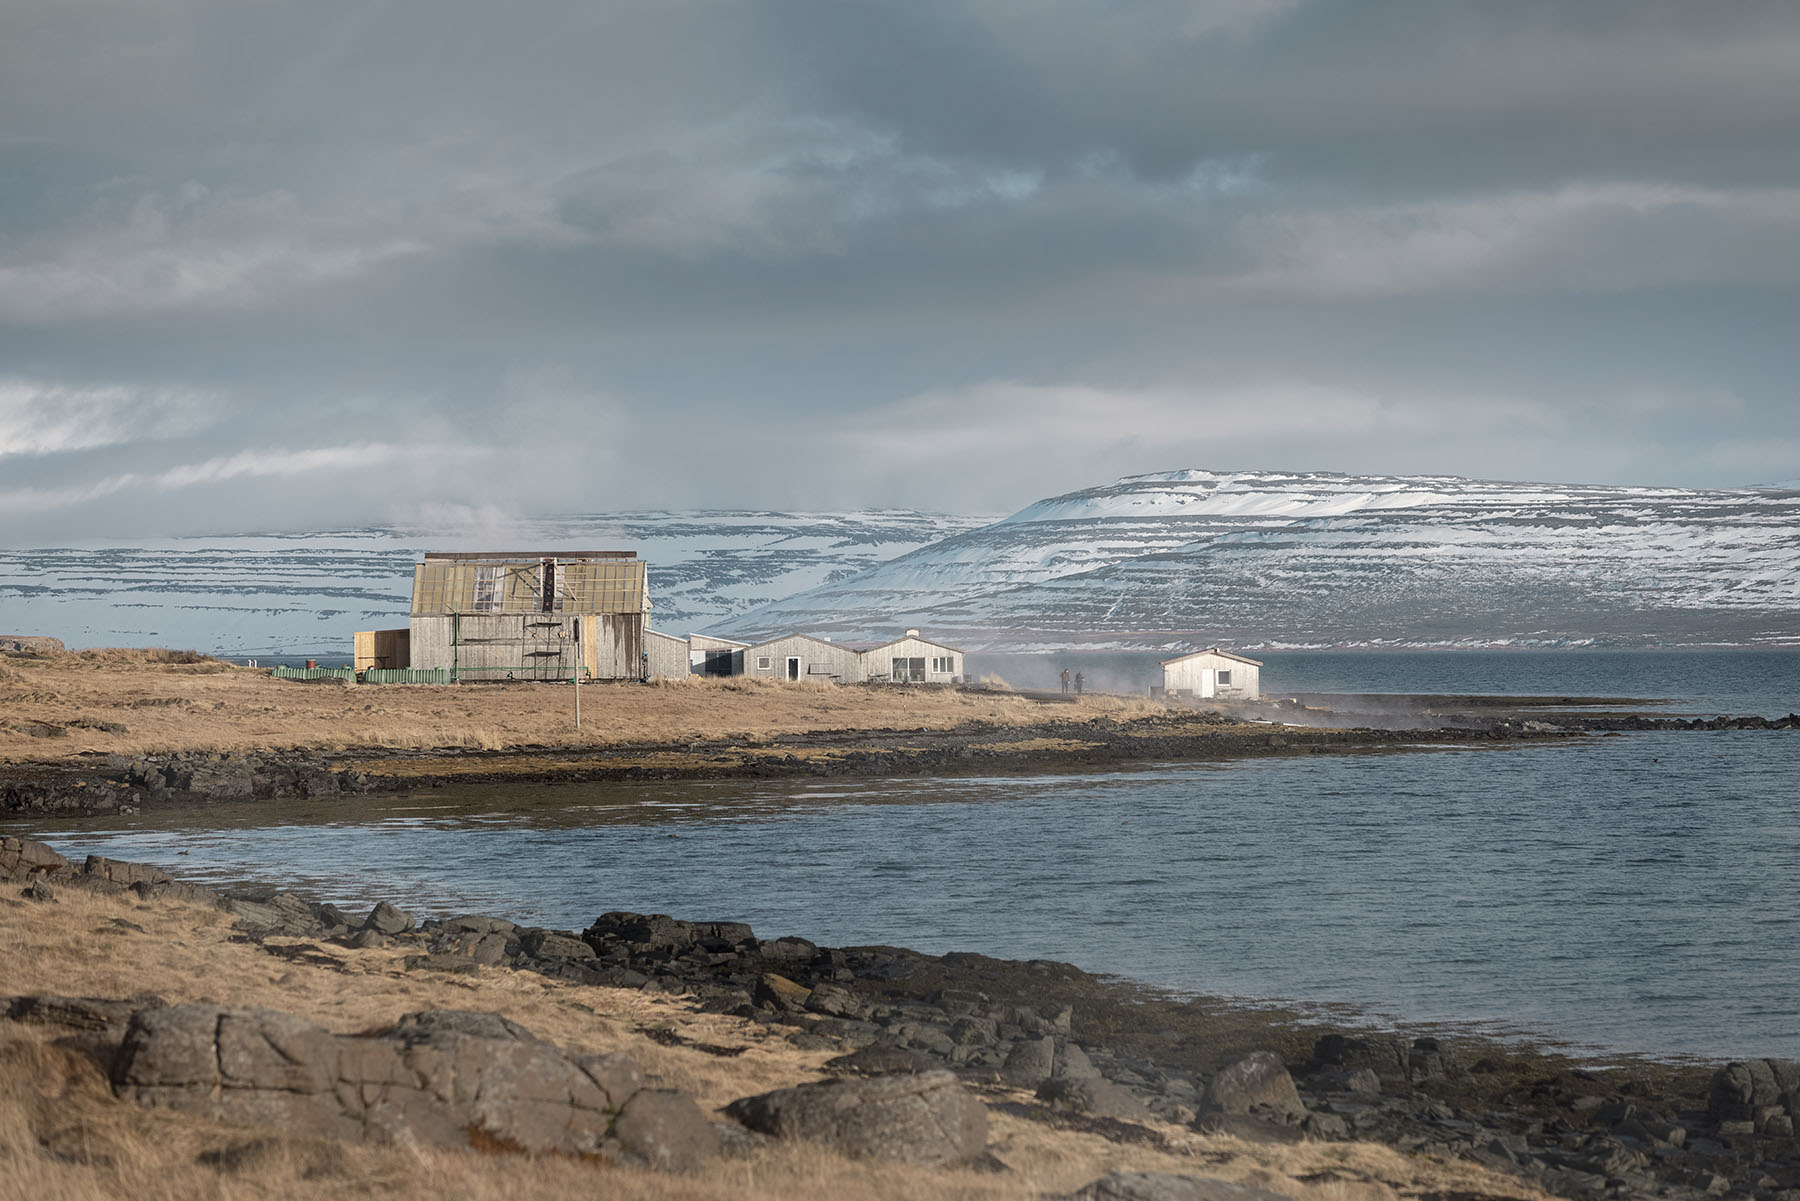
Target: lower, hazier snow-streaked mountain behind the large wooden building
point(307, 593)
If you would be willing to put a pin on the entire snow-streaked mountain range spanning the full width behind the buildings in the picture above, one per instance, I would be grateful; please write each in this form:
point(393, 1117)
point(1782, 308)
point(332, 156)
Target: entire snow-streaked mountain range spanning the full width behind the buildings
point(1153, 563)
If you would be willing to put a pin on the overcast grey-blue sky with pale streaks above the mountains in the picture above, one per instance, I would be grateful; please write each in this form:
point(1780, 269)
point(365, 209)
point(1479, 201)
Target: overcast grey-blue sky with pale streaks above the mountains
point(303, 262)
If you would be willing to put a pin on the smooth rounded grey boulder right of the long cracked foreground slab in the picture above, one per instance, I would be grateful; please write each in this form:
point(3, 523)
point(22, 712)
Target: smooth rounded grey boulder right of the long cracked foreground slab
point(915, 1119)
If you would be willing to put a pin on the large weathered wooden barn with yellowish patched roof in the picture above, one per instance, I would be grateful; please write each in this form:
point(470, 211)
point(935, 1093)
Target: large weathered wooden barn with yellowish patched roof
point(508, 615)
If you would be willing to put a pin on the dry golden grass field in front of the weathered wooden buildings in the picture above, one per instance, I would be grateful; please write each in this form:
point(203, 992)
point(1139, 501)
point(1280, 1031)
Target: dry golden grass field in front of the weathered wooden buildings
point(177, 701)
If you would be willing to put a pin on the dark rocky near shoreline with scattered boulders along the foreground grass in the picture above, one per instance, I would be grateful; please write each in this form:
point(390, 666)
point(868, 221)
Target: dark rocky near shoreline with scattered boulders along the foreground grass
point(1095, 1054)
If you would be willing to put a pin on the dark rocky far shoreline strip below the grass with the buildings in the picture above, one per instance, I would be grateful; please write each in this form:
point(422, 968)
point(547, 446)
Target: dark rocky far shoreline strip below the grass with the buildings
point(112, 784)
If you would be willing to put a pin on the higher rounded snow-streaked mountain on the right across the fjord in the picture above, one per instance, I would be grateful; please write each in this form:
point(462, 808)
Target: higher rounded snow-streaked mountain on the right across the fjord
point(1273, 559)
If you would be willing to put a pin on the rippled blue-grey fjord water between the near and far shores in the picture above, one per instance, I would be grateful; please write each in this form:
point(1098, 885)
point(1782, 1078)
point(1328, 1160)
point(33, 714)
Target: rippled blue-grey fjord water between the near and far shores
point(1628, 894)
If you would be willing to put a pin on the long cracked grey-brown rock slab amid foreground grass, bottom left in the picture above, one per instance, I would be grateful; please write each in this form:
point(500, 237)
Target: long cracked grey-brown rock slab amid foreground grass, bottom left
point(440, 1078)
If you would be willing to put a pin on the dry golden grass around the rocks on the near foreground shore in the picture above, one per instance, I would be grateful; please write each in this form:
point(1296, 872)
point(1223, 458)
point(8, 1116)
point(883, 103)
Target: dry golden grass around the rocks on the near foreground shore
point(66, 1139)
